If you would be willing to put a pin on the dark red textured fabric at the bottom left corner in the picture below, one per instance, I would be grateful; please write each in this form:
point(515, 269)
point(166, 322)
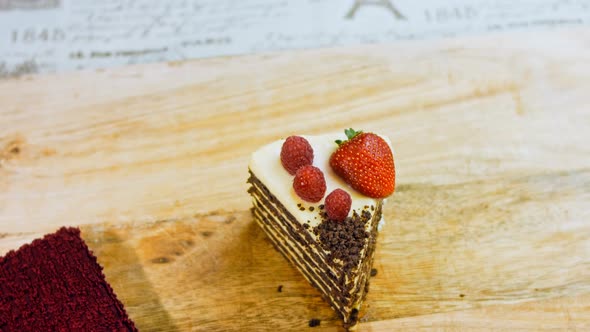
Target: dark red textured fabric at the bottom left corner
point(56, 284)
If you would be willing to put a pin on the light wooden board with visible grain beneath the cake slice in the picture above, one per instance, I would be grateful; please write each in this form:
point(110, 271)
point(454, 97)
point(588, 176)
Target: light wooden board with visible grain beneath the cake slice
point(489, 227)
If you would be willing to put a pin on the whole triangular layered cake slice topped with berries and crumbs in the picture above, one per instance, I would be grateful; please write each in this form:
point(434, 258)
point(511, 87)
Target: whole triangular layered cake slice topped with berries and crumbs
point(319, 200)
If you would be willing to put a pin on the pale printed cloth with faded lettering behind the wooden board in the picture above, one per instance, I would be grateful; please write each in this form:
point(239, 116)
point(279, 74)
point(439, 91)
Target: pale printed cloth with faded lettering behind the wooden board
point(60, 35)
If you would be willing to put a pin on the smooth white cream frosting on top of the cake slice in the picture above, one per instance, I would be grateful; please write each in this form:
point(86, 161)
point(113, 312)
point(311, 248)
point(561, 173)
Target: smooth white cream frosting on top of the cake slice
point(266, 165)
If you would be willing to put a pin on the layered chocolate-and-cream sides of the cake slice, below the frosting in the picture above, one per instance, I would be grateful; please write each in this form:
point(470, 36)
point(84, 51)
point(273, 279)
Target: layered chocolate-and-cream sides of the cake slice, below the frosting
point(338, 287)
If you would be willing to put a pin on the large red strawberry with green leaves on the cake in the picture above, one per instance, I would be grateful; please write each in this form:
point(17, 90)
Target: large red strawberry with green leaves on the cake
point(365, 162)
